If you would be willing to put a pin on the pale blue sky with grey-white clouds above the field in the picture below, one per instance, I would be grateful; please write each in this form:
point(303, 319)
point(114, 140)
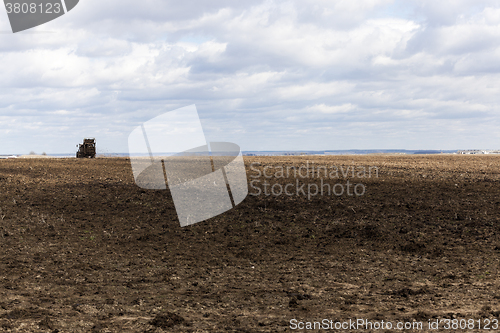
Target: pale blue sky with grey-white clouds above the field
point(266, 75)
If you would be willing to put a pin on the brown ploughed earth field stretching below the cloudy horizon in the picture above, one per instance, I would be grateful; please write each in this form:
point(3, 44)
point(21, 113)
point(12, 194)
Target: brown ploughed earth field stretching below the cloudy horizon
point(83, 249)
